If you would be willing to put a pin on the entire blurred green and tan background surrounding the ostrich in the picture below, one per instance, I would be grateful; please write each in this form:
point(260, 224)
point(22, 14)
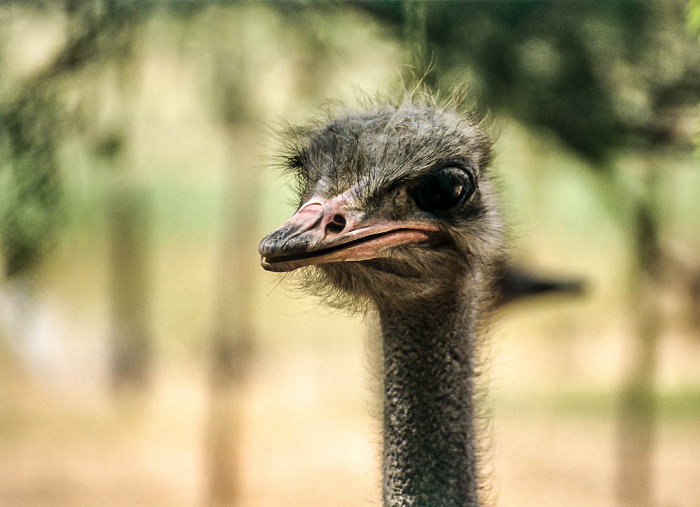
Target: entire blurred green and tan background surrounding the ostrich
point(145, 357)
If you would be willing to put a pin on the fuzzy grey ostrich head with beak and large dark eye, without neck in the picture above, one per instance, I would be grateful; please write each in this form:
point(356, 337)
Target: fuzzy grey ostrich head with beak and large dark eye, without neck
point(395, 204)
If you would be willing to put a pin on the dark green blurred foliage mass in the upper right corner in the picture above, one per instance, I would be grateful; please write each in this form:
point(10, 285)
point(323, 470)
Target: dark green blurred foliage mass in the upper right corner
point(601, 75)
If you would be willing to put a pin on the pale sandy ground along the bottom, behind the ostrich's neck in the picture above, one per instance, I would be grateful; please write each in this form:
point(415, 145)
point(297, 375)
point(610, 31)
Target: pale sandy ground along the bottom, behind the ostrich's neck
point(308, 439)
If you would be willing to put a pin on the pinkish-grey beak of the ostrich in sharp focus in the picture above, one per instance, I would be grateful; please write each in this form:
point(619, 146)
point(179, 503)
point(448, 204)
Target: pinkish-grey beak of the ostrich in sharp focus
point(328, 230)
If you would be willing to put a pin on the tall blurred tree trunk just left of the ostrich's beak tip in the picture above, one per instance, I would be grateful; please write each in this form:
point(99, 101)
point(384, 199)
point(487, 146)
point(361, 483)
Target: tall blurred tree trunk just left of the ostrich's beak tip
point(232, 339)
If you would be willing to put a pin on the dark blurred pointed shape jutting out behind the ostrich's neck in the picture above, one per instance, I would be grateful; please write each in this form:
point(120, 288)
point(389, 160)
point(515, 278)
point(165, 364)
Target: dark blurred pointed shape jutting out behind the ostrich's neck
point(516, 283)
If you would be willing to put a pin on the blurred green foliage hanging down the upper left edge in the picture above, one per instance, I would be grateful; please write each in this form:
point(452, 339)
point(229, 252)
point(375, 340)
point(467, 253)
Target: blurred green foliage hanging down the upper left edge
point(40, 109)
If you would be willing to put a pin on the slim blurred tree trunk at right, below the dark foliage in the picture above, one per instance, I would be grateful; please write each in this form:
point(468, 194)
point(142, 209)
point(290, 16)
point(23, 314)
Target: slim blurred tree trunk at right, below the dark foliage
point(637, 416)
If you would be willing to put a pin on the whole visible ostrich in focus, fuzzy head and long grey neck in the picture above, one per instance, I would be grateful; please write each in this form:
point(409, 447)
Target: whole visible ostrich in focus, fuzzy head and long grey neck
point(397, 215)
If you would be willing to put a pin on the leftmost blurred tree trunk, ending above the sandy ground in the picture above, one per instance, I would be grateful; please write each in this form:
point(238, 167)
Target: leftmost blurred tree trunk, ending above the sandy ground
point(129, 212)
